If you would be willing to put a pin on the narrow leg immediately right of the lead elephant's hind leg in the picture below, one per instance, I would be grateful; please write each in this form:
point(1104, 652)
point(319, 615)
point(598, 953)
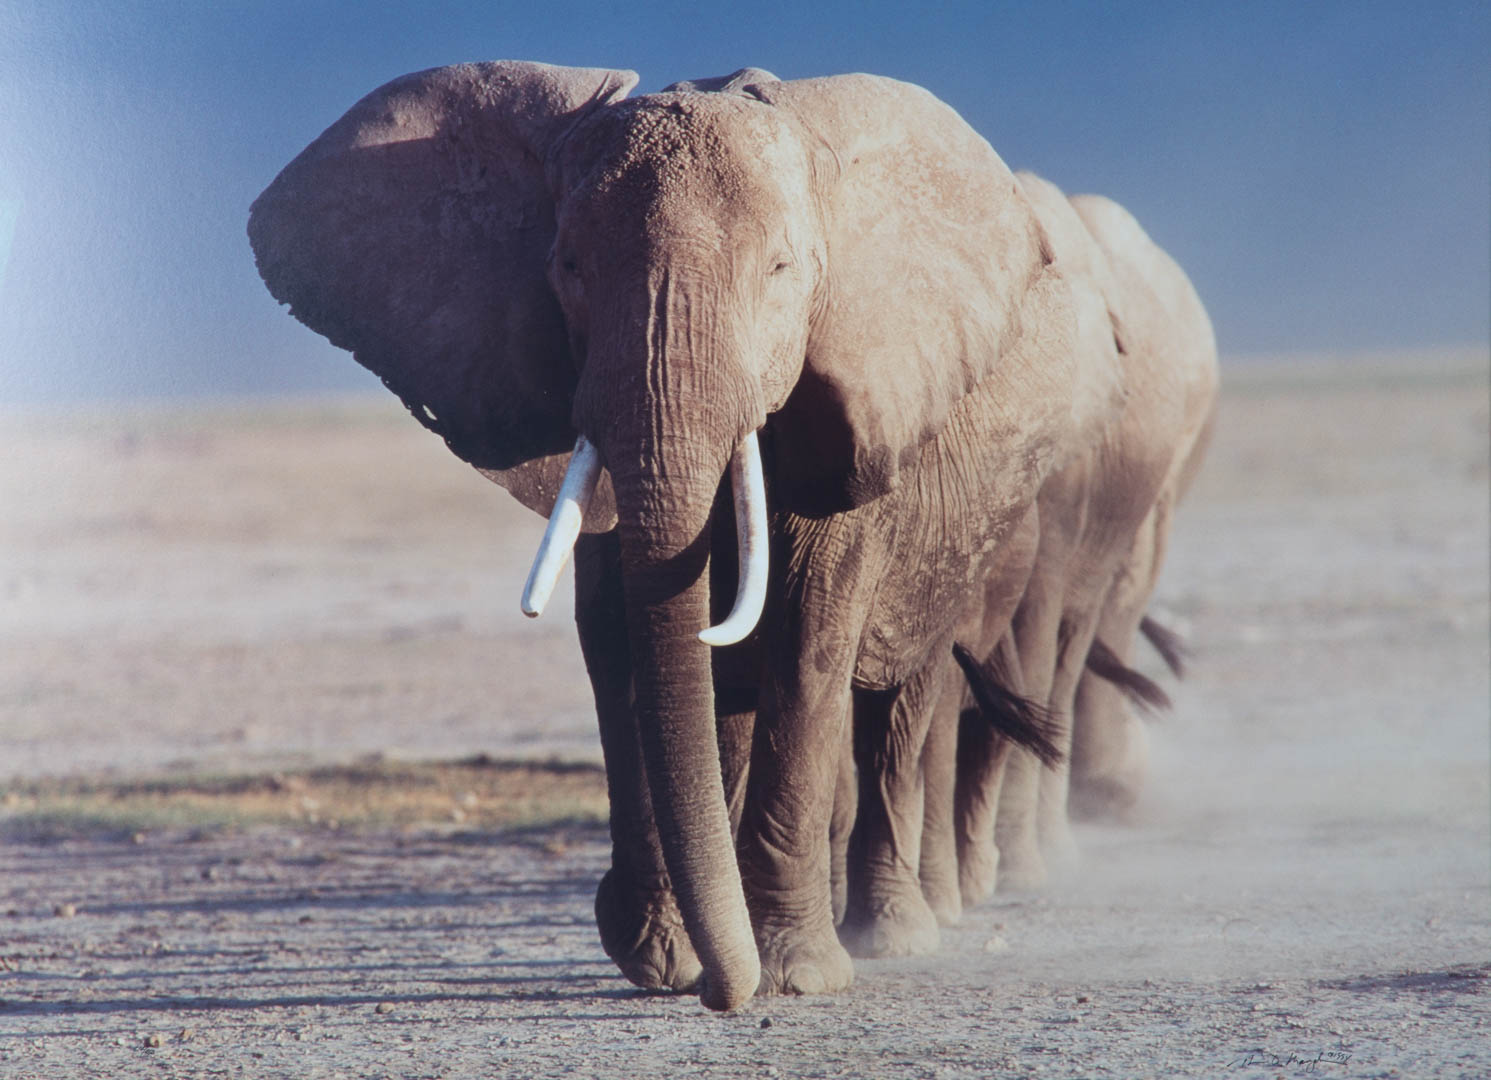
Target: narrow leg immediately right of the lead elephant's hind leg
point(940, 855)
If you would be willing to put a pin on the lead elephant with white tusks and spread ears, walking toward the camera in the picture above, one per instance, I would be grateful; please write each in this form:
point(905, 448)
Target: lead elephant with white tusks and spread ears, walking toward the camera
point(822, 311)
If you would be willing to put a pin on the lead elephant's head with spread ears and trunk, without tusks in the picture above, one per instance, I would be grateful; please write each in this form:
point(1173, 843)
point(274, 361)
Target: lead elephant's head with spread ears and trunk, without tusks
point(527, 257)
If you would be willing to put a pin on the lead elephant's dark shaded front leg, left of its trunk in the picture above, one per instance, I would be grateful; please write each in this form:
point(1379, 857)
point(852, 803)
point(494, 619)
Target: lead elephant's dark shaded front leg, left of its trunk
point(636, 911)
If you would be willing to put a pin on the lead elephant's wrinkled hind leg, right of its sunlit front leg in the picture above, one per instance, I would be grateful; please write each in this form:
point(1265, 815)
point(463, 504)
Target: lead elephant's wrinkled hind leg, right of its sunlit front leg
point(888, 915)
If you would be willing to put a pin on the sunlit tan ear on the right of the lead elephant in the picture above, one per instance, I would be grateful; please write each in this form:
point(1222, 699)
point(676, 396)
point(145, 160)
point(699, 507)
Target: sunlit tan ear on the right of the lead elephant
point(936, 268)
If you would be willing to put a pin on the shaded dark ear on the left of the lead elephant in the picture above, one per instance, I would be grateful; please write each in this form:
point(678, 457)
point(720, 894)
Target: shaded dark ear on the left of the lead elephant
point(415, 230)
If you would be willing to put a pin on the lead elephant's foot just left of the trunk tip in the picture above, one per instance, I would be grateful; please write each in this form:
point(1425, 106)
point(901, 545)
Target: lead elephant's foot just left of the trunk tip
point(643, 932)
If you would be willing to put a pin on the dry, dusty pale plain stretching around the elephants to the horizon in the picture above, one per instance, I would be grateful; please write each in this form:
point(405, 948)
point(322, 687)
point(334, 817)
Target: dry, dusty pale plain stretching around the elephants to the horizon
point(275, 612)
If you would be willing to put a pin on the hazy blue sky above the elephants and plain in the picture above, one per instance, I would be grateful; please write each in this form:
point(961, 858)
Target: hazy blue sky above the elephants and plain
point(1323, 171)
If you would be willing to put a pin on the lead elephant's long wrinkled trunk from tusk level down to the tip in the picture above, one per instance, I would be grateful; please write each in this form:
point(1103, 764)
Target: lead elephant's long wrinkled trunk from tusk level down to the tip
point(664, 514)
